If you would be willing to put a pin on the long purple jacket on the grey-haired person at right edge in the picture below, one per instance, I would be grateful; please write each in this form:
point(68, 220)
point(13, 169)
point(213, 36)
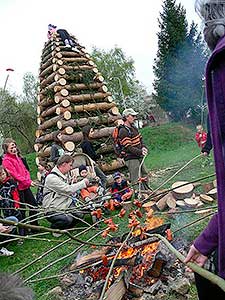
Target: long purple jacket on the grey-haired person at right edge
point(214, 235)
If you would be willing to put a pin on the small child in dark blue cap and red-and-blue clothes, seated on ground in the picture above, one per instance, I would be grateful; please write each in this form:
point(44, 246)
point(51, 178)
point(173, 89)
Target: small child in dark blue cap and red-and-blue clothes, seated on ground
point(120, 190)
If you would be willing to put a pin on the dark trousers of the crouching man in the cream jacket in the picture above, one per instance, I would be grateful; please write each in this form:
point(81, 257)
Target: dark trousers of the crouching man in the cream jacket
point(60, 221)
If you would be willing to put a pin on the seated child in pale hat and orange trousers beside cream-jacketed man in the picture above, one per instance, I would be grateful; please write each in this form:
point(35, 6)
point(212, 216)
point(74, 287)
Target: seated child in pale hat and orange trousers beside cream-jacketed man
point(93, 190)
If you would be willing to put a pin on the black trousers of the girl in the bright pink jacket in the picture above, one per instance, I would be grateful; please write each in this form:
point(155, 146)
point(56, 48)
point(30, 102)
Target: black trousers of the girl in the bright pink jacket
point(27, 197)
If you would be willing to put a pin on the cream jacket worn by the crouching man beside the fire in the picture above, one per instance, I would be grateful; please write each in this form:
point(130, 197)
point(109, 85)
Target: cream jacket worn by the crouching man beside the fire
point(57, 193)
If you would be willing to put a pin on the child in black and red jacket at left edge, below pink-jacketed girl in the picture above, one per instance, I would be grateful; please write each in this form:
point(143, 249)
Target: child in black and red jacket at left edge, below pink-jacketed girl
point(9, 196)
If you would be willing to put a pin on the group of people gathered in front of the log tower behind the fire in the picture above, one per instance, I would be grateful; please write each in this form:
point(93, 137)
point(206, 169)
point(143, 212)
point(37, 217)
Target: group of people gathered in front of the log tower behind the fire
point(60, 192)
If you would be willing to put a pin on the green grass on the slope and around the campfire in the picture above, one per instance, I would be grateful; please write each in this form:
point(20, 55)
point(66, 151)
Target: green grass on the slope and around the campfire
point(170, 147)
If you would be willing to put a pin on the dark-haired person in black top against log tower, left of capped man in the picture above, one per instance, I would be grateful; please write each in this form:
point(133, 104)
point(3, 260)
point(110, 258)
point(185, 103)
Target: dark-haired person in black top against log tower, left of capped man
point(88, 148)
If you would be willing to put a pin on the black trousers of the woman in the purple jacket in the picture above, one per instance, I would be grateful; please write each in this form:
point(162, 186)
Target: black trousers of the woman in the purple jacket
point(207, 290)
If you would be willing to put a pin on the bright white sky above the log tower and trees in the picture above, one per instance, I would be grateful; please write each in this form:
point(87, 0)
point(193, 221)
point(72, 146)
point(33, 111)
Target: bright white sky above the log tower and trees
point(129, 24)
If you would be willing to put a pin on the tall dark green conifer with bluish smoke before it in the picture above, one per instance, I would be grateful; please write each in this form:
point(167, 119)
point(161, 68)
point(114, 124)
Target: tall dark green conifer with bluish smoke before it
point(180, 62)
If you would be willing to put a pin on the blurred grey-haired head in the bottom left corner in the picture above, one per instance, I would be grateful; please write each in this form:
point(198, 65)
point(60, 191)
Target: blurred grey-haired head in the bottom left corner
point(13, 288)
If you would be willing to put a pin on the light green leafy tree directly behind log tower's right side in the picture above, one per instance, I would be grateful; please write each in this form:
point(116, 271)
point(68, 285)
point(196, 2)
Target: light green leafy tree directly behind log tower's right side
point(118, 71)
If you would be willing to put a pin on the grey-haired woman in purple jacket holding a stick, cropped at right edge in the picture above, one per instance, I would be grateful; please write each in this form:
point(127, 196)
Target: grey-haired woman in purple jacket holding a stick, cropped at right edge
point(213, 237)
